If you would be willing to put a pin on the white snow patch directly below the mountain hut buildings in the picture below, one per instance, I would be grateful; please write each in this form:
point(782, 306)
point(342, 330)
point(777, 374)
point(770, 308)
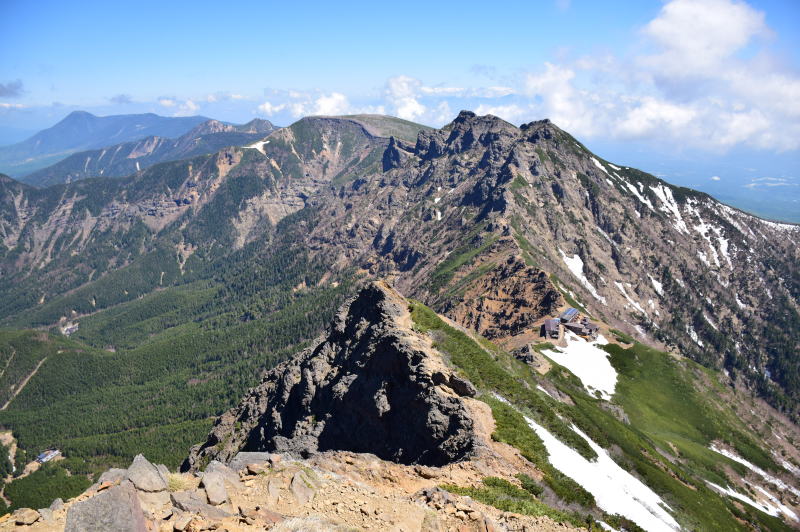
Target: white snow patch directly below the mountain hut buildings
point(588, 362)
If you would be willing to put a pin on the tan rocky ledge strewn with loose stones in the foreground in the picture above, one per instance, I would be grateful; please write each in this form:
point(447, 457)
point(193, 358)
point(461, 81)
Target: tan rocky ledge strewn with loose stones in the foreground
point(334, 491)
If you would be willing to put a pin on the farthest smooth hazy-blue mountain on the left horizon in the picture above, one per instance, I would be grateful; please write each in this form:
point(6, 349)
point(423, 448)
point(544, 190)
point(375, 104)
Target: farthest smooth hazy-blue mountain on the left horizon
point(84, 131)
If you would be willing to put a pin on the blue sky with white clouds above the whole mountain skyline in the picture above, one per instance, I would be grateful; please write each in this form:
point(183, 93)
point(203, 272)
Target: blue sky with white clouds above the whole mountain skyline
point(691, 89)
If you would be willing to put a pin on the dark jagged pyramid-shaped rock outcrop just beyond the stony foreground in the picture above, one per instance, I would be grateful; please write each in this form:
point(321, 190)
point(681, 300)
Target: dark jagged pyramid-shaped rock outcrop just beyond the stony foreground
point(373, 386)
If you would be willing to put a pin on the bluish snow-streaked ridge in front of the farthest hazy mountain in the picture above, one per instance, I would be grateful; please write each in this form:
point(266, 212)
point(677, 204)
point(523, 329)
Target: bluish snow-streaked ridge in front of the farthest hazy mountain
point(130, 157)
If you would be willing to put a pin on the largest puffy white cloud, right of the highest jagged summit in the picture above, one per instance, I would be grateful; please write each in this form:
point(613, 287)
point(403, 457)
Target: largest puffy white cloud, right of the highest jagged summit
point(704, 80)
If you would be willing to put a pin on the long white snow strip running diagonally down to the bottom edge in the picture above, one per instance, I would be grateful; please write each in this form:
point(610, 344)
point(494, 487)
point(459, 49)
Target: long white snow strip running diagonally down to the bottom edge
point(615, 490)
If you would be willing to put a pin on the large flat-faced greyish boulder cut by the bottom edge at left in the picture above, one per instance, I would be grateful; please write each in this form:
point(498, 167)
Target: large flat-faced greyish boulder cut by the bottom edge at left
point(115, 509)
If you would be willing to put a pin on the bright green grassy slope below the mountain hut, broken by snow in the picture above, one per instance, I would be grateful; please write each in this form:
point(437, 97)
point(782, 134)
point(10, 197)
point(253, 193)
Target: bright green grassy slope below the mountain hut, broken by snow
point(665, 402)
